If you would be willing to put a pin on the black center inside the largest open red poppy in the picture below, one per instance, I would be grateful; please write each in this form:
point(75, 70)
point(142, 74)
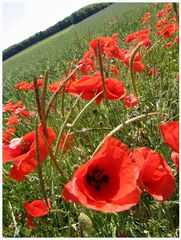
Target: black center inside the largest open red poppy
point(97, 179)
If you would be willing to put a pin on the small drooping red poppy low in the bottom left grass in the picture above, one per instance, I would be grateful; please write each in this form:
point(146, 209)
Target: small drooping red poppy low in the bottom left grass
point(37, 208)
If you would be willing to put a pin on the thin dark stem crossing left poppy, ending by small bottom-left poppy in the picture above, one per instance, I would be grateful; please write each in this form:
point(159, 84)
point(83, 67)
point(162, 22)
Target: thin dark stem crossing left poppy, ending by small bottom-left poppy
point(40, 175)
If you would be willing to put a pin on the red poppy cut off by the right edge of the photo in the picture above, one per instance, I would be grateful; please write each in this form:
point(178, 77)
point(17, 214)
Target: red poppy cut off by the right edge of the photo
point(170, 133)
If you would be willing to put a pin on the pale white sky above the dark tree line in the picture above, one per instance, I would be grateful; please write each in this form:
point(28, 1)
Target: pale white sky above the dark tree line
point(23, 18)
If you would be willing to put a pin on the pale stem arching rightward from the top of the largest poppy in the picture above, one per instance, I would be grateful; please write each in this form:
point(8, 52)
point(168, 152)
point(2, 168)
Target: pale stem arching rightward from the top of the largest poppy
point(122, 125)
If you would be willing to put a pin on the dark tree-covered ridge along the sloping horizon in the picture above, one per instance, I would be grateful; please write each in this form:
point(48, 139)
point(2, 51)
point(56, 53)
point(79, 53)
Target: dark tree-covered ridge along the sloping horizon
point(74, 18)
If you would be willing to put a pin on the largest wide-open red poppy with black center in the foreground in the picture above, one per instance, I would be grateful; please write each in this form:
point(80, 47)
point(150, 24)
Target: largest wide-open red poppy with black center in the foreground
point(107, 182)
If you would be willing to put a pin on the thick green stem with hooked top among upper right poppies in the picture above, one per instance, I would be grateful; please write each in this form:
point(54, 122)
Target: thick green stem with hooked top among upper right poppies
point(131, 65)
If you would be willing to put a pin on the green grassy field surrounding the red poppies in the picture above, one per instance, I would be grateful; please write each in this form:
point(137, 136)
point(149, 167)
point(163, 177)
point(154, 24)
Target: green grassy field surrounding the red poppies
point(157, 93)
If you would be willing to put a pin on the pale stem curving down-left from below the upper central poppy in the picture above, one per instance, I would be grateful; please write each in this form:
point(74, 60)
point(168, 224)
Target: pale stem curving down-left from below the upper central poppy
point(74, 122)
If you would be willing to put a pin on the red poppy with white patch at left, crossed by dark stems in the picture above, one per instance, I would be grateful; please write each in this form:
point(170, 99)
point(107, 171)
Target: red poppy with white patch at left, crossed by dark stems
point(22, 151)
